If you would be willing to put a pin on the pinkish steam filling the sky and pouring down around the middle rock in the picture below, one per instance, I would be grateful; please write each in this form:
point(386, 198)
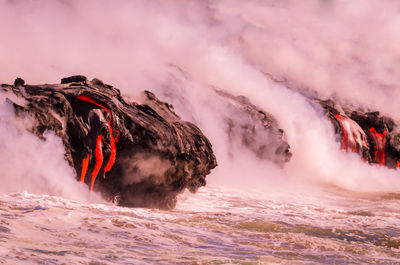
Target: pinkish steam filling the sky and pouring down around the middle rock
point(268, 51)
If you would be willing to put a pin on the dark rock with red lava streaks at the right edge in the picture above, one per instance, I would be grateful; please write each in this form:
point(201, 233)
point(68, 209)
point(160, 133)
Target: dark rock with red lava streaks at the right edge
point(375, 137)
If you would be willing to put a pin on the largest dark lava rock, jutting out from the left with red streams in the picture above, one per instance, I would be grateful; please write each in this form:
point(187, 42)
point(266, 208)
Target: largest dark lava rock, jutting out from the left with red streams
point(137, 154)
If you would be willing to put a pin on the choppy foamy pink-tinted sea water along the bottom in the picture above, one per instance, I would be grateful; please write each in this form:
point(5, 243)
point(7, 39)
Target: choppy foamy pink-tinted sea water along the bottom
point(214, 226)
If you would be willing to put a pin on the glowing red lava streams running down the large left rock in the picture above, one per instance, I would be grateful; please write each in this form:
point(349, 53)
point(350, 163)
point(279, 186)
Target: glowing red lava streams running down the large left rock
point(99, 147)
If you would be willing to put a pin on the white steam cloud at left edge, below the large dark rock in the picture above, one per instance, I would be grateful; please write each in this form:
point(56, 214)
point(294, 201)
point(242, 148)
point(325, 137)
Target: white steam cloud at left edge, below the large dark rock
point(28, 163)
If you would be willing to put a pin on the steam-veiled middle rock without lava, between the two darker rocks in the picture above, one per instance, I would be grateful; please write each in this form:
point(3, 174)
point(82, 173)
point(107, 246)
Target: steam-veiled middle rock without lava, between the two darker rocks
point(246, 127)
